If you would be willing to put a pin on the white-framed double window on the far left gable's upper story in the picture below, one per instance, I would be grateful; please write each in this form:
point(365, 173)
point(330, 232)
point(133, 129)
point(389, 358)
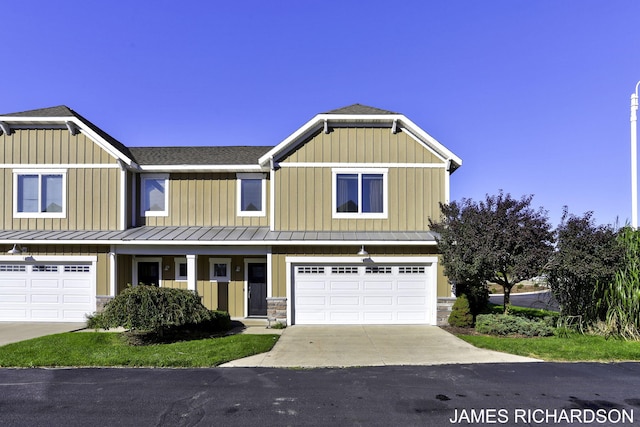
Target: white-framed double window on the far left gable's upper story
point(39, 193)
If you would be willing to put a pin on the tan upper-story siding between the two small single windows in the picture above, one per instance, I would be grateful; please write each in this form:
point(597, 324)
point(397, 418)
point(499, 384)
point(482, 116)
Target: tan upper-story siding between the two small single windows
point(204, 199)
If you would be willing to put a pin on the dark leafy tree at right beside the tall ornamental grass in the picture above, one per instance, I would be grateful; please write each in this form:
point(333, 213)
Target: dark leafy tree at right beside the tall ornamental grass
point(585, 262)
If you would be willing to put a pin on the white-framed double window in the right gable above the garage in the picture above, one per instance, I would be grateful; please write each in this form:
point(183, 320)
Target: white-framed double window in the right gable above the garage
point(360, 193)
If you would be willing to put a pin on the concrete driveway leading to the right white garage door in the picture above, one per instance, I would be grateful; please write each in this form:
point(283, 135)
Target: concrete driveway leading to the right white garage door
point(370, 345)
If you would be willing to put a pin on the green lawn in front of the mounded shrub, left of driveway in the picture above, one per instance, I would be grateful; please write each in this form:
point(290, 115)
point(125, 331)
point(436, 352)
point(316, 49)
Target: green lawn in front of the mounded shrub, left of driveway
point(110, 349)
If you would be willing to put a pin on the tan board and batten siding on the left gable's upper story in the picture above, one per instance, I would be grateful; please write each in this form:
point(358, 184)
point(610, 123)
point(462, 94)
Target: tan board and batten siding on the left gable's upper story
point(94, 202)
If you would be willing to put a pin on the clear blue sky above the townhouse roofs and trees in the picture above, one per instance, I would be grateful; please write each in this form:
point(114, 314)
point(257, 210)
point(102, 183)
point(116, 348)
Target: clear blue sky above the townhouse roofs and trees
point(532, 95)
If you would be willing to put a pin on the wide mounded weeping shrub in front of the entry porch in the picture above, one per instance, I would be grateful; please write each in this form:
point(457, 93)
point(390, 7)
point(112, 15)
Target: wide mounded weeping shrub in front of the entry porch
point(151, 308)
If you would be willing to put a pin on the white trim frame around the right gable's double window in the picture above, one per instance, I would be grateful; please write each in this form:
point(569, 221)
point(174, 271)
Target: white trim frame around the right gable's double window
point(360, 171)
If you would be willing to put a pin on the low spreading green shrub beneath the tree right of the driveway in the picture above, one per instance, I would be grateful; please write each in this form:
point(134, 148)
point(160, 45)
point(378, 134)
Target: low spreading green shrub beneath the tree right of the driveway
point(506, 324)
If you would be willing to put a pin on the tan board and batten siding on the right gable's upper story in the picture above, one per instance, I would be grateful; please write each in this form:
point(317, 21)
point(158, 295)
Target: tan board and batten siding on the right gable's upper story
point(304, 194)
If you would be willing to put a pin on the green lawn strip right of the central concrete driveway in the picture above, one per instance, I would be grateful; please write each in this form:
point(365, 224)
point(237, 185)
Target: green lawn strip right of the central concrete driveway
point(573, 348)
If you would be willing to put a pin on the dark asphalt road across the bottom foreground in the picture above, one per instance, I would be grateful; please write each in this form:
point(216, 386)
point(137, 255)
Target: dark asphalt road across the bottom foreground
point(506, 394)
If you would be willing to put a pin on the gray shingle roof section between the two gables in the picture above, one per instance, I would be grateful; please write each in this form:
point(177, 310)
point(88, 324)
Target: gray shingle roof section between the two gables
point(224, 155)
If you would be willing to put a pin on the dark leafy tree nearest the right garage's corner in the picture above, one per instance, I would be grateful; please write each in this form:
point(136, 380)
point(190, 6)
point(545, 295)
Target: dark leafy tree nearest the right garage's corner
point(501, 239)
